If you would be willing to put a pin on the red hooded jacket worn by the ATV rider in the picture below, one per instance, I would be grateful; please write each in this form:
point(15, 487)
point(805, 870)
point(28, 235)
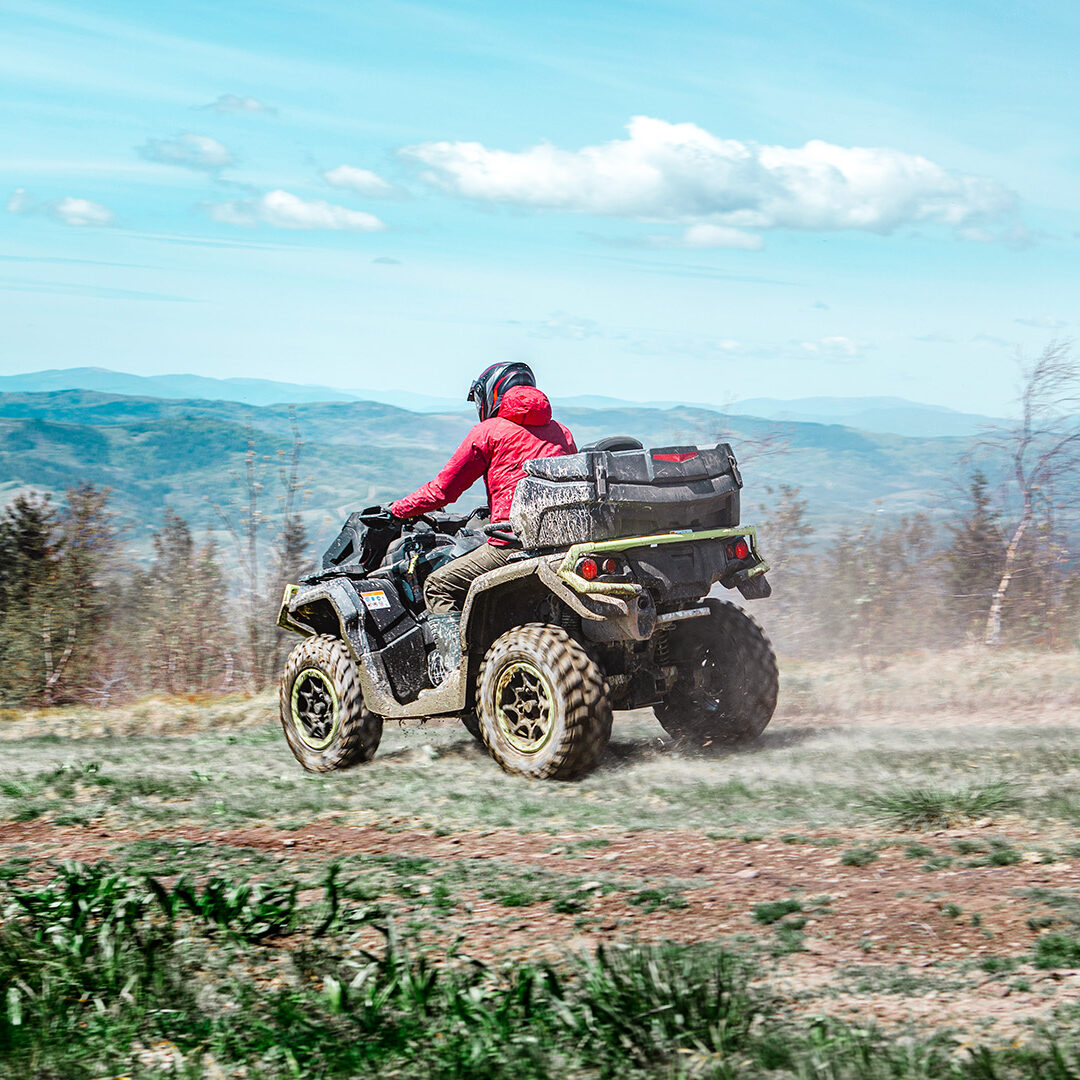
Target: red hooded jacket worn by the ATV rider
point(496, 450)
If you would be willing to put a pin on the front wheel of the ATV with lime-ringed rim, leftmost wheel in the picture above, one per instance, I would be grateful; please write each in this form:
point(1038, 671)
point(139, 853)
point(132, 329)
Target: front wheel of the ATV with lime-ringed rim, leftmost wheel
point(323, 715)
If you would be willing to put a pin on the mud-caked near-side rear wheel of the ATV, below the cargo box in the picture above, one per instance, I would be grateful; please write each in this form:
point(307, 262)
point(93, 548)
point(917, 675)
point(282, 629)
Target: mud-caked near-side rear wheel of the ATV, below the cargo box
point(543, 705)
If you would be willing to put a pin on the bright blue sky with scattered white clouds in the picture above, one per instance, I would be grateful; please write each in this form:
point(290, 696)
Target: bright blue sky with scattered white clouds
point(661, 200)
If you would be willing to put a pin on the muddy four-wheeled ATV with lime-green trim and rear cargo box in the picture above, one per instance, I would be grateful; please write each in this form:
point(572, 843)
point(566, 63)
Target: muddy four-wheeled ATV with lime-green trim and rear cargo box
point(603, 605)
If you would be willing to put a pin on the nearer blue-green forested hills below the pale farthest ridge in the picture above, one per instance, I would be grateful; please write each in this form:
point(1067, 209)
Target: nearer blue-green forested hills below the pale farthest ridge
point(190, 455)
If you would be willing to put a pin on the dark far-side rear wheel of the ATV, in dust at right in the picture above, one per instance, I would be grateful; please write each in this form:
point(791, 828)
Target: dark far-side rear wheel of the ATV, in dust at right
point(726, 692)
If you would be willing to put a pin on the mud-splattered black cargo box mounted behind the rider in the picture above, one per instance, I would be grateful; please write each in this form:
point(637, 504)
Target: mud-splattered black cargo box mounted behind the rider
point(605, 495)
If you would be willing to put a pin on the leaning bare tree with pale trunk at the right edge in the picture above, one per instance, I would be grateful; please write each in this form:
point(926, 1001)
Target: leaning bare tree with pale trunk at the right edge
point(1043, 450)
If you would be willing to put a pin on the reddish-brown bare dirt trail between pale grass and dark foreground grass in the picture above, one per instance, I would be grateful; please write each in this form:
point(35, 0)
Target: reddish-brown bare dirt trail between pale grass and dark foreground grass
point(892, 903)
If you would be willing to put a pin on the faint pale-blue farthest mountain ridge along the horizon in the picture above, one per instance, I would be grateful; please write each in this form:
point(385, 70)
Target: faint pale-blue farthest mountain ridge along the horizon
point(883, 415)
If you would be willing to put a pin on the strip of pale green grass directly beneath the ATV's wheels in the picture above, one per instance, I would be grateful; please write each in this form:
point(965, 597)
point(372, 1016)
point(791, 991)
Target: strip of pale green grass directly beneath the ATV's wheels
point(795, 786)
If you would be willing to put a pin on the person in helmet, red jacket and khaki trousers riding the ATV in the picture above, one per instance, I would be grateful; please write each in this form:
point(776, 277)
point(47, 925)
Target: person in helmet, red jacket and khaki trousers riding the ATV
point(516, 426)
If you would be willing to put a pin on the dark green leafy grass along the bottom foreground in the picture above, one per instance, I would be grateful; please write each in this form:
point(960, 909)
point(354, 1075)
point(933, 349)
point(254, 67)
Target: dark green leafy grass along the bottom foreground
point(97, 966)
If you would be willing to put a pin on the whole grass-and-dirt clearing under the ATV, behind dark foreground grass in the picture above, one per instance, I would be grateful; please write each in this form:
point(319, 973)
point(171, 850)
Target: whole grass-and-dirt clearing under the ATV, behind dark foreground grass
point(869, 921)
